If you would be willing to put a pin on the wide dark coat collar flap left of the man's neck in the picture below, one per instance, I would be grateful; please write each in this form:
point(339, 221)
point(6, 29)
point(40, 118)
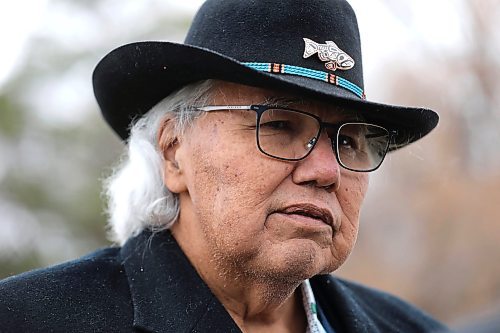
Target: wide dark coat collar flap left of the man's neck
point(167, 292)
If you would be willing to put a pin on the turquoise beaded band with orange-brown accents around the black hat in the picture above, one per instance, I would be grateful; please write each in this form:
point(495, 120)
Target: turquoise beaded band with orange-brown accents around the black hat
point(307, 72)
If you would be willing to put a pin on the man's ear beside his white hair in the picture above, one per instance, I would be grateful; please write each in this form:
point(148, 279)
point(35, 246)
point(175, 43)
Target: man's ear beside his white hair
point(171, 149)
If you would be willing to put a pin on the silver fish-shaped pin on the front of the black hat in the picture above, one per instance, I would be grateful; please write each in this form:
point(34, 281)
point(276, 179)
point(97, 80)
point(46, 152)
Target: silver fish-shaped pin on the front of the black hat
point(337, 59)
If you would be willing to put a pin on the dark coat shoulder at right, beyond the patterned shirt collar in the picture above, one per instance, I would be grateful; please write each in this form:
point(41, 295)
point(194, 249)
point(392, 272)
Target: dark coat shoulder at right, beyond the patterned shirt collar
point(379, 311)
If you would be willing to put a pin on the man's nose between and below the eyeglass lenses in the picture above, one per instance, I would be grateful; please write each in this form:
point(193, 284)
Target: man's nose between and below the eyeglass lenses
point(320, 167)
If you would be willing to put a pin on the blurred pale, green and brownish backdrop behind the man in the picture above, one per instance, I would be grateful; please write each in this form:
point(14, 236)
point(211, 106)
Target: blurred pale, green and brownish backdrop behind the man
point(430, 229)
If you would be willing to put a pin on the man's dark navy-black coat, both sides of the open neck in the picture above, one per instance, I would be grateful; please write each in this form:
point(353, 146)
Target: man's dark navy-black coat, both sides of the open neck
point(149, 285)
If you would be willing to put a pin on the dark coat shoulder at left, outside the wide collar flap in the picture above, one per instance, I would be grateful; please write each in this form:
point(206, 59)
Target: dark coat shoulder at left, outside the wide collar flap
point(91, 290)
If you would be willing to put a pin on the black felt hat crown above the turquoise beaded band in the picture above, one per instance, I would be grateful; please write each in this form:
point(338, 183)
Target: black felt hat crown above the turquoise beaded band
point(273, 31)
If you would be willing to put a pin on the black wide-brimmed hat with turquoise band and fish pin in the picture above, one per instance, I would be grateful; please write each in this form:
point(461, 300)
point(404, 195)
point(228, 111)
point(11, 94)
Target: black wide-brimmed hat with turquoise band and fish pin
point(309, 48)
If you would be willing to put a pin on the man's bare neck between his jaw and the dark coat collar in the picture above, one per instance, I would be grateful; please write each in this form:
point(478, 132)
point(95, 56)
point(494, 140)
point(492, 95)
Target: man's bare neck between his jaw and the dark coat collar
point(255, 303)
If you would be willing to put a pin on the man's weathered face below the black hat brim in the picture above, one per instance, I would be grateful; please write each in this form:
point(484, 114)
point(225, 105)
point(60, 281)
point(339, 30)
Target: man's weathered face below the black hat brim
point(256, 215)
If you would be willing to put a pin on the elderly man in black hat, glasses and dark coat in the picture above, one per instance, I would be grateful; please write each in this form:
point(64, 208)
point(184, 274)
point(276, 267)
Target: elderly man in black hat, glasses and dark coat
point(249, 149)
